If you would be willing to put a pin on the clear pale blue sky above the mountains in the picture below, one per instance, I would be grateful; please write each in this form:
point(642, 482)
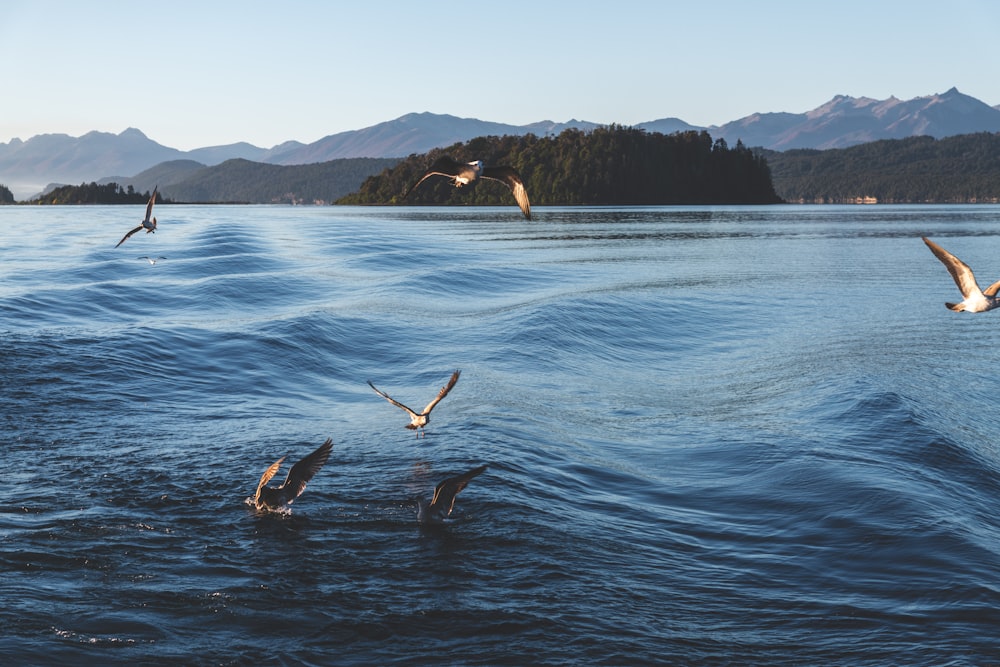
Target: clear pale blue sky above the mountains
point(208, 73)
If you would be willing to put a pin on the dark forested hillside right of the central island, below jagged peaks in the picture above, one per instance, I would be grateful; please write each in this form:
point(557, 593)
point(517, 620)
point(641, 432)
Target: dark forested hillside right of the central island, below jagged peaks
point(959, 169)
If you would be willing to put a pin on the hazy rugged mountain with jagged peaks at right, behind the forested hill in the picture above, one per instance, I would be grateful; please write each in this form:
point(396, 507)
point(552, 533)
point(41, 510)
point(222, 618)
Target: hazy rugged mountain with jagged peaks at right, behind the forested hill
point(847, 121)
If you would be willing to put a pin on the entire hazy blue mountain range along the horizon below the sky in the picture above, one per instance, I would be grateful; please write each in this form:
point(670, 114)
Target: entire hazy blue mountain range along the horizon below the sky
point(27, 166)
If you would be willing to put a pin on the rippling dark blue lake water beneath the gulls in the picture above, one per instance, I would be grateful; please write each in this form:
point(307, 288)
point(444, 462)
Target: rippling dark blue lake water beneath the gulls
point(714, 435)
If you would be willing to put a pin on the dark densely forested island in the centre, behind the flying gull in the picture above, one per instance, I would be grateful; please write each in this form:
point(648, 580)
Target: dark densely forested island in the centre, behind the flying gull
point(609, 165)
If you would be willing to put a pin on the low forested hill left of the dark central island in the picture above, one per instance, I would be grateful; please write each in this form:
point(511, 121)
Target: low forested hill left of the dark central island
point(244, 181)
